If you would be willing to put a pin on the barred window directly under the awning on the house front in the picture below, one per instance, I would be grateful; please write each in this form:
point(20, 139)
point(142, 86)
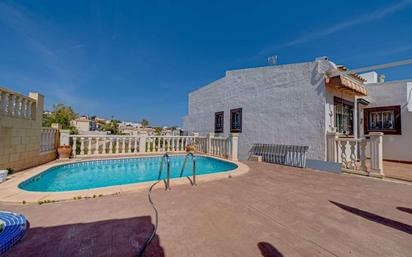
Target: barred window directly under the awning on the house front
point(343, 116)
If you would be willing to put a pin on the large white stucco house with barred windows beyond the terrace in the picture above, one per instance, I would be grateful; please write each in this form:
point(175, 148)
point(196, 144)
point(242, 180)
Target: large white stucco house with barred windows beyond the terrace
point(297, 104)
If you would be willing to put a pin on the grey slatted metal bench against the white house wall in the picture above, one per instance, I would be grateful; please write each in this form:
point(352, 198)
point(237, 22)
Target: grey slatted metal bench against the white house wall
point(291, 155)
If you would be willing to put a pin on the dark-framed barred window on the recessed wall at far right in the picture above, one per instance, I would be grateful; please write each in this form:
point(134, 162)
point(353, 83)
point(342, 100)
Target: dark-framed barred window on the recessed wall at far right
point(383, 119)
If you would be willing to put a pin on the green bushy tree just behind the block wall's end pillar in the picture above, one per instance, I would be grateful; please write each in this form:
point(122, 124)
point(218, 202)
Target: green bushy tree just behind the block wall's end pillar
point(61, 114)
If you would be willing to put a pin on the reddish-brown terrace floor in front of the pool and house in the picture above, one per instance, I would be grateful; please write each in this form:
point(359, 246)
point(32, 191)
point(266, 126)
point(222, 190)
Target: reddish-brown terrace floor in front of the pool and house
point(271, 211)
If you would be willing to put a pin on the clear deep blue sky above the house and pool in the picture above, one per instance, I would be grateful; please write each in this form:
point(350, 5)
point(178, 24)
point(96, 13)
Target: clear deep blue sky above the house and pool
point(140, 59)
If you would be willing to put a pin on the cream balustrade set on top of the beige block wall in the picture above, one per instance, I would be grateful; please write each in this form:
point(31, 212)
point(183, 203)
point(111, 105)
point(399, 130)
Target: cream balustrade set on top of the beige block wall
point(15, 105)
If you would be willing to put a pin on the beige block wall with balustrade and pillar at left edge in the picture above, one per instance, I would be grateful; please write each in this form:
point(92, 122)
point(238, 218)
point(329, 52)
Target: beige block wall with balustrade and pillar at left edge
point(20, 133)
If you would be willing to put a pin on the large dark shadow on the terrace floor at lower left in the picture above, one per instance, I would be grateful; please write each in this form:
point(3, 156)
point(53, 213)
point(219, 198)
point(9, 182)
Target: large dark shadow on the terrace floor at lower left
point(117, 237)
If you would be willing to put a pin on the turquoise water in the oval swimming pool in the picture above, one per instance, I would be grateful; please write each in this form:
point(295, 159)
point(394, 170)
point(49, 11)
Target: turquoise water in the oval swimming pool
point(103, 173)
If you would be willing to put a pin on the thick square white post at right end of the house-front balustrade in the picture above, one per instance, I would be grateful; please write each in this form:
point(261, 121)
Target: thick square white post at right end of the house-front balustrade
point(376, 148)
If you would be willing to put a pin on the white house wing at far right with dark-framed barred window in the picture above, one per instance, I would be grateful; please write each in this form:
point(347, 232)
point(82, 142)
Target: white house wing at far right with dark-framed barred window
point(390, 111)
